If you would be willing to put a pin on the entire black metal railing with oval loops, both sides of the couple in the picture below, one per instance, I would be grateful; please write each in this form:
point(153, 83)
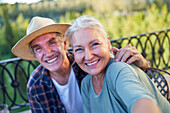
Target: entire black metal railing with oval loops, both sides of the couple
point(14, 73)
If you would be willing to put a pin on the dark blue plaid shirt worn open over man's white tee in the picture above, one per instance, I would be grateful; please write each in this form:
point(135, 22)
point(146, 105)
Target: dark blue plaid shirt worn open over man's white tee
point(42, 94)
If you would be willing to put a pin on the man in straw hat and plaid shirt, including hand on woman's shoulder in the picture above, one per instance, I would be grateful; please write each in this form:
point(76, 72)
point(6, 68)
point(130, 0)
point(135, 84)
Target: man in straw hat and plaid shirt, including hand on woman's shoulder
point(54, 85)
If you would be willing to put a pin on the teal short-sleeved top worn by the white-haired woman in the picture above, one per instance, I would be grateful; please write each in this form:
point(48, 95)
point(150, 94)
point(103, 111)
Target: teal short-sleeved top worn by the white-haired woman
point(123, 85)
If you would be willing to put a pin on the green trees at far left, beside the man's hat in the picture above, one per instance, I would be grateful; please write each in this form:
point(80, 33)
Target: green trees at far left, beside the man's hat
point(10, 32)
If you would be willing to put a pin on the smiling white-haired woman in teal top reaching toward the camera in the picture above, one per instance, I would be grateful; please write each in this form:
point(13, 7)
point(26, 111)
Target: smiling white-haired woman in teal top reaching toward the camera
point(110, 87)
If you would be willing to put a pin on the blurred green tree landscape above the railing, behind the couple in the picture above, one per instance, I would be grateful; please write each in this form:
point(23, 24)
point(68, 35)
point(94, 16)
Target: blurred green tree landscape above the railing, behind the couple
point(121, 18)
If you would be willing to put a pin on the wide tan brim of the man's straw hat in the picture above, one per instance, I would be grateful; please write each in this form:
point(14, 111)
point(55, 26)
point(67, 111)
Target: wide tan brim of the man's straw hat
point(21, 48)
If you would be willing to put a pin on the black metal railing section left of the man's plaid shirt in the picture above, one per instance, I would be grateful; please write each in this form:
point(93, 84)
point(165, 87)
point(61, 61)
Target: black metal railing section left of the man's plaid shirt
point(14, 75)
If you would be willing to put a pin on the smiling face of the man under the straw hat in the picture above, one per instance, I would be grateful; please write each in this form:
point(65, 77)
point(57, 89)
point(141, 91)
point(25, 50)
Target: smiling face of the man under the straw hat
point(49, 51)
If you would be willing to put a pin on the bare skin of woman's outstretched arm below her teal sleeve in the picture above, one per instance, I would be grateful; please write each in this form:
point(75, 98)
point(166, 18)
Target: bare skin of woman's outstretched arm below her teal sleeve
point(145, 105)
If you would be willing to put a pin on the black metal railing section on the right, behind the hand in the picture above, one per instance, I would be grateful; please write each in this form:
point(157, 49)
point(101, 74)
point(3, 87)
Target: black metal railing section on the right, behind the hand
point(155, 47)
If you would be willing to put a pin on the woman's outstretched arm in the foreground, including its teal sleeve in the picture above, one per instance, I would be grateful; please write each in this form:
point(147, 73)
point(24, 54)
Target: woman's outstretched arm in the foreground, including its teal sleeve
point(133, 88)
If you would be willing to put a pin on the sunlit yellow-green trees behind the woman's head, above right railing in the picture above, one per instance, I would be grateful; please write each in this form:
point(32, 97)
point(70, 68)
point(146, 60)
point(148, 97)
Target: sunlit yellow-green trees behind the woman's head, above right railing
point(122, 24)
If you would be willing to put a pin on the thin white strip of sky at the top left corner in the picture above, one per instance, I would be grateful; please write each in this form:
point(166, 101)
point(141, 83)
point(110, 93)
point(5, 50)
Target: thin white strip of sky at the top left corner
point(19, 1)
